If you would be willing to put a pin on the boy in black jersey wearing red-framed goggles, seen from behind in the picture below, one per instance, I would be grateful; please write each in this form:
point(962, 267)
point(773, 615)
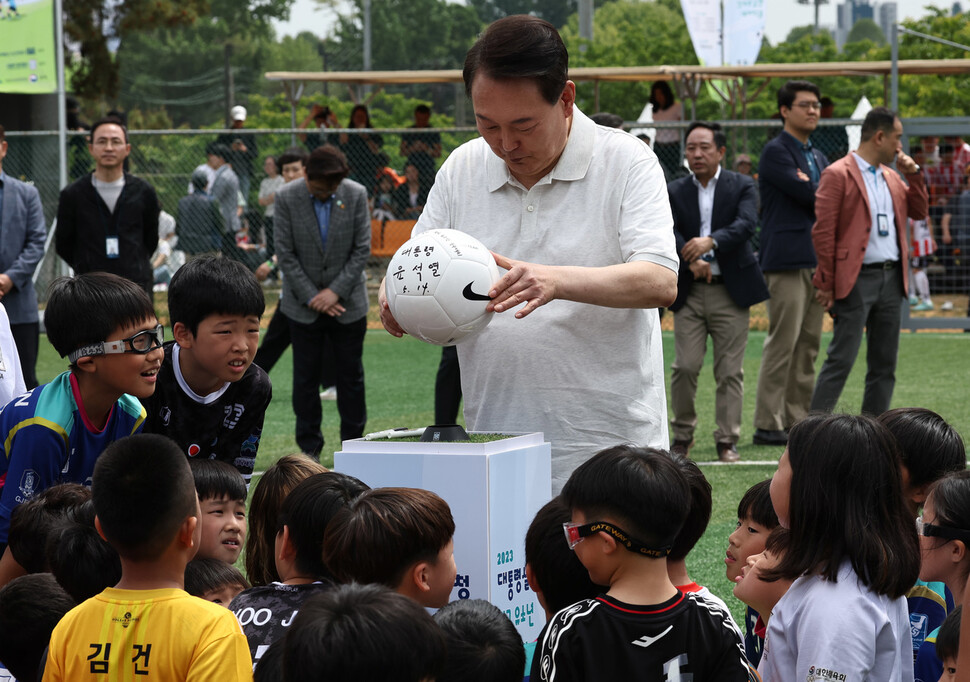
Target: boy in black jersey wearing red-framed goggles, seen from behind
point(628, 505)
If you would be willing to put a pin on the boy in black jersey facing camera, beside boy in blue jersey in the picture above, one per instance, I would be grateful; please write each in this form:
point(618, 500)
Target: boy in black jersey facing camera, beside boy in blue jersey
point(210, 398)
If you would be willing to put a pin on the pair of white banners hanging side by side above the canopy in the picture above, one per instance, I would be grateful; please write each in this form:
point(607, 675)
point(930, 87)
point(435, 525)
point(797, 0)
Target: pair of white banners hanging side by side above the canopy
point(744, 22)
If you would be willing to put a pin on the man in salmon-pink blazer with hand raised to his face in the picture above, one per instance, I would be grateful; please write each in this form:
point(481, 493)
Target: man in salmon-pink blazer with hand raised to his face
point(860, 239)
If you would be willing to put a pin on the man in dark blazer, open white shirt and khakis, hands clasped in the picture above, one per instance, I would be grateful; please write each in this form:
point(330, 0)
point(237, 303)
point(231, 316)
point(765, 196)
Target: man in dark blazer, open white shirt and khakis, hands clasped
point(715, 212)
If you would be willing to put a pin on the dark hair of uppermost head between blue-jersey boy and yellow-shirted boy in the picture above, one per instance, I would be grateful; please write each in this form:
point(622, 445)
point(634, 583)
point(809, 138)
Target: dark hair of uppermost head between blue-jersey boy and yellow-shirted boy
point(34, 520)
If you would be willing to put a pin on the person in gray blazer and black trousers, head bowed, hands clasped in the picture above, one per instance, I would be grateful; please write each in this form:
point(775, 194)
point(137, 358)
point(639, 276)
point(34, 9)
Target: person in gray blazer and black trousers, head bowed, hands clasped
point(322, 243)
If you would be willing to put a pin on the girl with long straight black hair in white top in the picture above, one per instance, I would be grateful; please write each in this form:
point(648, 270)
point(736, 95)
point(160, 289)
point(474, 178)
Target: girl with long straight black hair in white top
point(853, 554)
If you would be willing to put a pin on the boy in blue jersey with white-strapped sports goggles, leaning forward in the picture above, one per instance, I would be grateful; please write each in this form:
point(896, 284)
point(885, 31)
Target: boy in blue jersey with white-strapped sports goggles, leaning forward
point(106, 327)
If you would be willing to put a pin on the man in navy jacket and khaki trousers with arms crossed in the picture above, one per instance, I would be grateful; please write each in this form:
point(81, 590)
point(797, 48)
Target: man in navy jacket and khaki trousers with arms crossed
point(789, 173)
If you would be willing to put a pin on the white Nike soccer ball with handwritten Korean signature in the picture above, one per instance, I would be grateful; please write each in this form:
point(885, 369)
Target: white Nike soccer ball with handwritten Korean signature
point(437, 286)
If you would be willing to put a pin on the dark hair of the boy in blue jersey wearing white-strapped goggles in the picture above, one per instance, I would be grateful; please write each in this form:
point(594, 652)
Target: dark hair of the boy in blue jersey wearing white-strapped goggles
point(87, 309)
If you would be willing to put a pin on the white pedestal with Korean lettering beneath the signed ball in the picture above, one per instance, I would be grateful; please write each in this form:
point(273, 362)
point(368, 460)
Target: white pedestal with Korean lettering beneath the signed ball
point(494, 490)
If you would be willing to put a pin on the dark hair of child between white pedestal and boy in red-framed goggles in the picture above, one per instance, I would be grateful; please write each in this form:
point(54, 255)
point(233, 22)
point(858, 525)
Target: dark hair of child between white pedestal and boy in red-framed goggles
point(558, 572)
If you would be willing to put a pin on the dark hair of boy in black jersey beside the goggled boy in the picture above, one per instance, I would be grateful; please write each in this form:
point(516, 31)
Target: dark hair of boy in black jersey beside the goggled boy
point(213, 286)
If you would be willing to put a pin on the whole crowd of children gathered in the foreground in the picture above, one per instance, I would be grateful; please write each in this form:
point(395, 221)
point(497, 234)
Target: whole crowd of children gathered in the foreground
point(119, 547)
